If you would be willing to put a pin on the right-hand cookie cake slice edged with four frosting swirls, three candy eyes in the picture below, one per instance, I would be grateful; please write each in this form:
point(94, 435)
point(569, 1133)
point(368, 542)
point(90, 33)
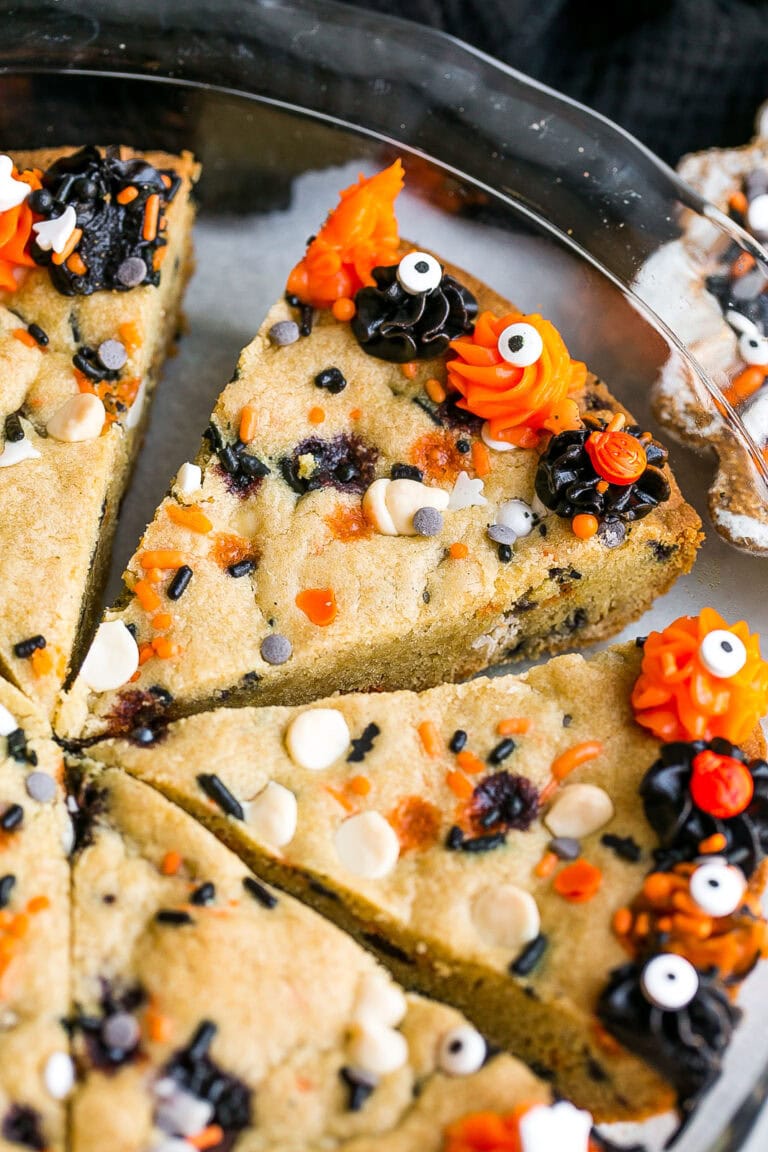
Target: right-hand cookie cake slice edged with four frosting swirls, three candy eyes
point(573, 858)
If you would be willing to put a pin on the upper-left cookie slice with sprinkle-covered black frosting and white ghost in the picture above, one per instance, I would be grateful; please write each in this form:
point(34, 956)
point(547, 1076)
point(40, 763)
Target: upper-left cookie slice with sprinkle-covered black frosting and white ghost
point(95, 254)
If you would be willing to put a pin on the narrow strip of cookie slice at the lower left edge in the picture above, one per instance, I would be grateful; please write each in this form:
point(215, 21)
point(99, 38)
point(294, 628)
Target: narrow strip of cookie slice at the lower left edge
point(36, 1072)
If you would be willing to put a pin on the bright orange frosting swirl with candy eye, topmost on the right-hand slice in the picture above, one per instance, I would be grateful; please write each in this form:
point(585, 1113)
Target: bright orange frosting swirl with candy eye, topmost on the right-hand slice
point(676, 699)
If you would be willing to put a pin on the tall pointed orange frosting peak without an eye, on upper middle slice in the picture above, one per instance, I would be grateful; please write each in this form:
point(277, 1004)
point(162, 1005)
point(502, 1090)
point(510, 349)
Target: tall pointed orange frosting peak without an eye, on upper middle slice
point(359, 236)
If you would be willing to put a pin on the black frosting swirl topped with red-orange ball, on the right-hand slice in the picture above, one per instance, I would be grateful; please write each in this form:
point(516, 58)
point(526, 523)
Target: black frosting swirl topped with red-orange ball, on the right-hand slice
point(681, 825)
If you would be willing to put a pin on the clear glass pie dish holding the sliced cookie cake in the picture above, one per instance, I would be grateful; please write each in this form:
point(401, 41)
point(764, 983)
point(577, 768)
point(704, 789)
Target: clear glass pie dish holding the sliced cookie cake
point(285, 103)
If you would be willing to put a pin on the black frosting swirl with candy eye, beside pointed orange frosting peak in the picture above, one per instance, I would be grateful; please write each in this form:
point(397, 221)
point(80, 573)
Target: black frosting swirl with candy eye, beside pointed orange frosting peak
point(400, 327)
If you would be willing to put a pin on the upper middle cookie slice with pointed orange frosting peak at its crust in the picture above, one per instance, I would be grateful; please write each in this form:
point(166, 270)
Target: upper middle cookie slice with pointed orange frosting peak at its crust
point(406, 481)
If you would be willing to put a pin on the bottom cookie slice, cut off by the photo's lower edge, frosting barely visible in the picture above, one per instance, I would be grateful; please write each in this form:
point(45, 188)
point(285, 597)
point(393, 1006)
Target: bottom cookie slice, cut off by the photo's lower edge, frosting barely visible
point(215, 1013)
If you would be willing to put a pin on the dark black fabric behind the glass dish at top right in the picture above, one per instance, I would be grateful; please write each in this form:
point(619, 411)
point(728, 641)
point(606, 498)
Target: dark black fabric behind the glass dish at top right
point(679, 74)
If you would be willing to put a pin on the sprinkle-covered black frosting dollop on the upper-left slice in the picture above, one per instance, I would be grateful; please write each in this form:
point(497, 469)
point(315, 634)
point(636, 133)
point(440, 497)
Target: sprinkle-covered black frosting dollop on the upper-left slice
point(112, 232)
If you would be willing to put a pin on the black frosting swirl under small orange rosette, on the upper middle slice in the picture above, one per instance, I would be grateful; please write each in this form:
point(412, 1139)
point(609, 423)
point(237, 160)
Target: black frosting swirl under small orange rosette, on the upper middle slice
point(567, 482)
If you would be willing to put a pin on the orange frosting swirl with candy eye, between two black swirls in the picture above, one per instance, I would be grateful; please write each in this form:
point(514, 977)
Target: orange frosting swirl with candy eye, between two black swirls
point(520, 404)
